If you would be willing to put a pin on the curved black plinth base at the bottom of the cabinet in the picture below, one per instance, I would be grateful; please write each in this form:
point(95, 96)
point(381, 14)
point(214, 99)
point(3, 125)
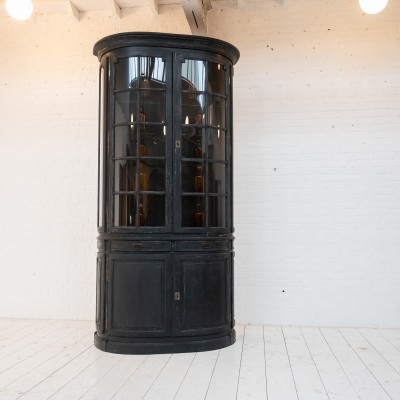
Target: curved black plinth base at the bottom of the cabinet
point(163, 346)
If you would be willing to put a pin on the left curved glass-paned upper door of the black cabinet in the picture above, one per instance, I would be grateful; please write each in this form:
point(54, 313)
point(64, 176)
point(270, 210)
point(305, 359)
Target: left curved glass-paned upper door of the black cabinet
point(141, 130)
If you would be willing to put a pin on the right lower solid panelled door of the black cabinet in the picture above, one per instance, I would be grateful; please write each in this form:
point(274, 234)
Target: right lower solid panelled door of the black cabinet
point(203, 287)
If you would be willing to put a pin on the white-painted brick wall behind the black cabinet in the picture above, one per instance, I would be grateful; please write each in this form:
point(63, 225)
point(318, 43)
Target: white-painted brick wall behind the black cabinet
point(317, 161)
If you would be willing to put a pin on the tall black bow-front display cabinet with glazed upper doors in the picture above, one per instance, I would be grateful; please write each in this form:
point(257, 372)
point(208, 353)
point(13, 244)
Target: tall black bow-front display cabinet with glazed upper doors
point(165, 215)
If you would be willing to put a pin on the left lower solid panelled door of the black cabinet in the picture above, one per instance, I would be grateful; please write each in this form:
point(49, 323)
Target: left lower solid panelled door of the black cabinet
point(139, 301)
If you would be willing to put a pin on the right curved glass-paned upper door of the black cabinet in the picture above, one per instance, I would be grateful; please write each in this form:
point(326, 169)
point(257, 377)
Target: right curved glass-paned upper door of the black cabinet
point(204, 137)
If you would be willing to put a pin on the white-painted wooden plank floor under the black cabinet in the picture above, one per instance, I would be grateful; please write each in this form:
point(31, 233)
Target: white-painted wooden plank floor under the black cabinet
point(57, 360)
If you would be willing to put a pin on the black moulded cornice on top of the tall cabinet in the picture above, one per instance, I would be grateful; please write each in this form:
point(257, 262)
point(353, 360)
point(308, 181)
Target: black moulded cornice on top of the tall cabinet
point(165, 40)
